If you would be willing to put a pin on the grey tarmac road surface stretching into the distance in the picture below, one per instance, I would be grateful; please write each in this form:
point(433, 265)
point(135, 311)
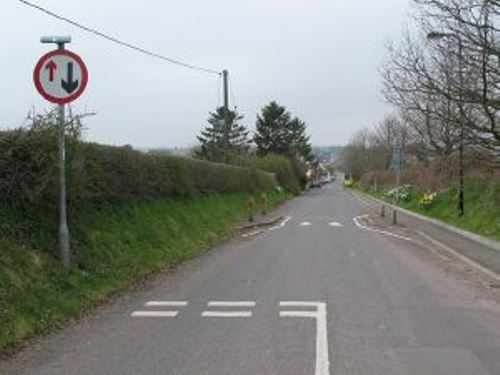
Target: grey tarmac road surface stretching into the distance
point(322, 292)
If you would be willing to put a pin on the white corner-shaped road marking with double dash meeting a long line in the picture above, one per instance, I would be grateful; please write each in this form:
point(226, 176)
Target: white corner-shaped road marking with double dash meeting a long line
point(322, 361)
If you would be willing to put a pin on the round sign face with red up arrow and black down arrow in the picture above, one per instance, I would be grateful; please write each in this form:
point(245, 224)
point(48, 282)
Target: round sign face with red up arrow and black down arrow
point(60, 76)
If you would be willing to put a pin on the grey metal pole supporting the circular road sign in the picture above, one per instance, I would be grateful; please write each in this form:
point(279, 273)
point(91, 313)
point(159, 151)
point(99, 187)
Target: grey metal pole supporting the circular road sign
point(63, 215)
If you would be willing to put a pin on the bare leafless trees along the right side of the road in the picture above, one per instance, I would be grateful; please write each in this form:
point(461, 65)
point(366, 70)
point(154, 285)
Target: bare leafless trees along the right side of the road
point(443, 80)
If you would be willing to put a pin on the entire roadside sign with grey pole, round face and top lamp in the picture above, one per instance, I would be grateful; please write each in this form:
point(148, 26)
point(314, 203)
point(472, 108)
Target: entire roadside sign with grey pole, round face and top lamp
point(60, 76)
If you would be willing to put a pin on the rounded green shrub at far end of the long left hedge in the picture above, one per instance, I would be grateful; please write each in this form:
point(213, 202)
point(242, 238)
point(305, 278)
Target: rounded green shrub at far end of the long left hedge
point(282, 168)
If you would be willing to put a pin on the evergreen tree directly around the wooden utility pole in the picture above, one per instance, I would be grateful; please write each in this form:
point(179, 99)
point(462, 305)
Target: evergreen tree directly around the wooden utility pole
point(215, 146)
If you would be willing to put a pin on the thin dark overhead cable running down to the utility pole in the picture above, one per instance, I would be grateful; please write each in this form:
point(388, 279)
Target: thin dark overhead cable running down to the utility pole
point(118, 41)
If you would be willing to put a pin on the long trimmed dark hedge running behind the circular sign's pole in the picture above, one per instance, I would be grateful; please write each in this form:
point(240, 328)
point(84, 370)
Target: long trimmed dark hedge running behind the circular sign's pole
point(98, 173)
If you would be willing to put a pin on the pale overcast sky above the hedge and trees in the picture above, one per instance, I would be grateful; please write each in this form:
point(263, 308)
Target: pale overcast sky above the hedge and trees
point(319, 58)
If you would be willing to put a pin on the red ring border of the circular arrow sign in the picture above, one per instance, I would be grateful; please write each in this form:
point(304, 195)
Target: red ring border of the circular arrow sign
point(39, 67)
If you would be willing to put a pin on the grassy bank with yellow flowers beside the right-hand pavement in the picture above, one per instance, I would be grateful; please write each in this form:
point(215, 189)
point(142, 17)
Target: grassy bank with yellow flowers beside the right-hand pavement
point(482, 205)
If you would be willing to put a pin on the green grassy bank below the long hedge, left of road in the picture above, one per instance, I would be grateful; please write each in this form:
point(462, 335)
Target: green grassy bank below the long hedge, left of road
point(114, 246)
